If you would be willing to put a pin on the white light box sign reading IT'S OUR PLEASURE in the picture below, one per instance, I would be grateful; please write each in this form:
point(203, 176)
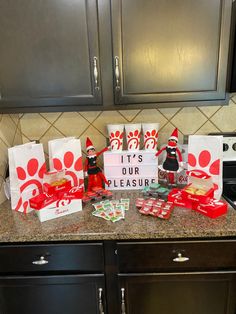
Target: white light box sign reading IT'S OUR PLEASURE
point(130, 170)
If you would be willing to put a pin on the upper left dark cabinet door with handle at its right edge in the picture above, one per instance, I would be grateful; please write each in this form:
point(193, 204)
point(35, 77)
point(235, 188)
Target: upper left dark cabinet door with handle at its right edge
point(49, 54)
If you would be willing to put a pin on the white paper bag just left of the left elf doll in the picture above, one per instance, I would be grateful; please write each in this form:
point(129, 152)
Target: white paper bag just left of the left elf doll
point(65, 153)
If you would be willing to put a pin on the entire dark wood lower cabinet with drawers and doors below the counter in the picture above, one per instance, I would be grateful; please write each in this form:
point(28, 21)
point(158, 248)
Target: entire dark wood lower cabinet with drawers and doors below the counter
point(125, 277)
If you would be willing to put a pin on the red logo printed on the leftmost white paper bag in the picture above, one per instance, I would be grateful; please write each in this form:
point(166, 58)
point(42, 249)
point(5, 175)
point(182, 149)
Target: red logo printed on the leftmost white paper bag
point(30, 178)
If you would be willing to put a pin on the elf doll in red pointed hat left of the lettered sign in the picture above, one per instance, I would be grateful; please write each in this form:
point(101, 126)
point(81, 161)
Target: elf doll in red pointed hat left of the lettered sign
point(95, 175)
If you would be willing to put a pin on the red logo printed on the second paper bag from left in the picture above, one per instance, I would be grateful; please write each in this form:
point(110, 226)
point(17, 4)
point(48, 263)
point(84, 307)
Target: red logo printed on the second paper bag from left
point(73, 166)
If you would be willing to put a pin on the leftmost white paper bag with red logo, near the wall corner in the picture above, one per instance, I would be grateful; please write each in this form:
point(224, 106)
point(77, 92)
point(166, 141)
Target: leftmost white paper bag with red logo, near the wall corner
point(26, 169)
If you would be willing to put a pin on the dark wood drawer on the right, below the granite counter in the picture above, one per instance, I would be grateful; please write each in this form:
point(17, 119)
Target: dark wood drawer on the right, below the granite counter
point(161, 256)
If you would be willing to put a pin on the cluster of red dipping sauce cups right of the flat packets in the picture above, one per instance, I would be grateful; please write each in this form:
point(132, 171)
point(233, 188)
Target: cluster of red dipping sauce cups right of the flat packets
point(154, 207)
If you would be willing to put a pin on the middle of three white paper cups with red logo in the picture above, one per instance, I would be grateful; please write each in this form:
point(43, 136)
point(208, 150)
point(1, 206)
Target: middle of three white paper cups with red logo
point(133, 134)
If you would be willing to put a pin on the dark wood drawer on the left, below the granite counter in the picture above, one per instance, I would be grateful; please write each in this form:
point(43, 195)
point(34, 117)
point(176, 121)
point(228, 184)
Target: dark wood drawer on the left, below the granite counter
point(83, 257)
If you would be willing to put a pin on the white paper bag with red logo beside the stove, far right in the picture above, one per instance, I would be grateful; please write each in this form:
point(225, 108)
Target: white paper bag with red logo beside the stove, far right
point(205, 153)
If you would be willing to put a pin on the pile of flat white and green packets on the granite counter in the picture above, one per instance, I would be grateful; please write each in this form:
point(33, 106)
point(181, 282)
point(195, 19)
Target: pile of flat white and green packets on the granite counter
point(113, 210)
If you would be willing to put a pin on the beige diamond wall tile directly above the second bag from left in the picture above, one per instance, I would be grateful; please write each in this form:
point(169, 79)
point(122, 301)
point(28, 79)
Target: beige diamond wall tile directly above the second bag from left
point(71, 124)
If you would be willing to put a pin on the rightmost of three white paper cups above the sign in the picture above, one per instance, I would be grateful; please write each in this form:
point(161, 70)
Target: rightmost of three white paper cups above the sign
point(150, 136)
